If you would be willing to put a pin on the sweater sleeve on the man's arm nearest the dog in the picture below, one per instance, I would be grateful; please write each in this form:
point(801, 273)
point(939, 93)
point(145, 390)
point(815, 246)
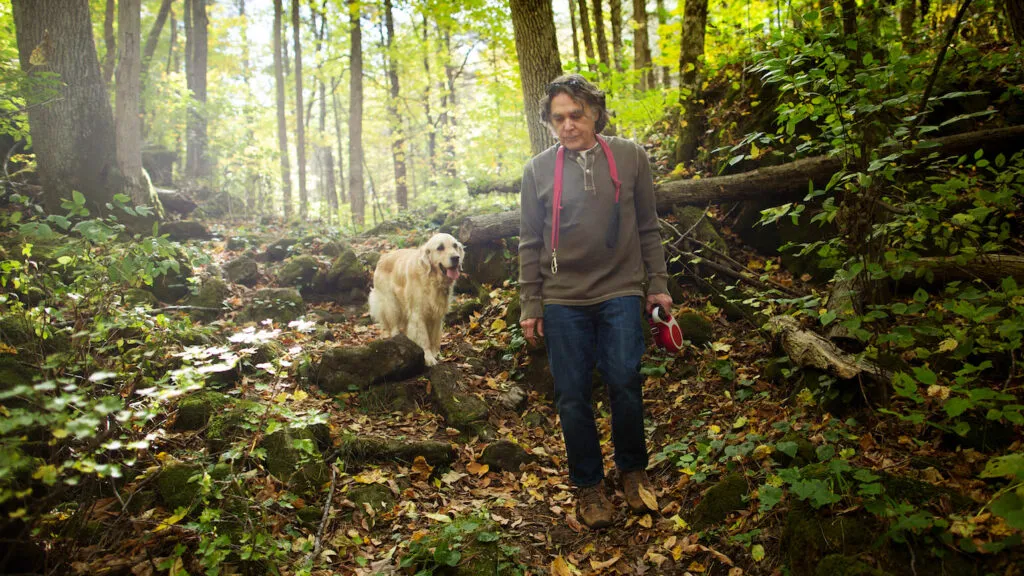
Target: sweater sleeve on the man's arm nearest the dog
point(531, 245)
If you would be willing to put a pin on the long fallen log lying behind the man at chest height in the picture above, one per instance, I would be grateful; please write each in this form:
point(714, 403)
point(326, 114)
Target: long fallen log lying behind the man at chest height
point(782, 184)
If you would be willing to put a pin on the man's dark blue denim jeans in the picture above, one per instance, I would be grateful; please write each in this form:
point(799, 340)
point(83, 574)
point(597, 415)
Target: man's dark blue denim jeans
point(611, 336)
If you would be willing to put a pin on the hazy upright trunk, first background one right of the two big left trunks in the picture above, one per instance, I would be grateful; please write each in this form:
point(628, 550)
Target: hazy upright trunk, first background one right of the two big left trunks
point(197, 163)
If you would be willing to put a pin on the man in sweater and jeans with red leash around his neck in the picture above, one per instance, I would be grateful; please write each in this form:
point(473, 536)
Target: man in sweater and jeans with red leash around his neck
point(582, 269)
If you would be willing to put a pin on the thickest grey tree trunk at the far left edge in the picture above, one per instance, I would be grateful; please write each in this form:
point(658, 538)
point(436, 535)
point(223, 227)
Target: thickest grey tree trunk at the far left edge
point(72, 135)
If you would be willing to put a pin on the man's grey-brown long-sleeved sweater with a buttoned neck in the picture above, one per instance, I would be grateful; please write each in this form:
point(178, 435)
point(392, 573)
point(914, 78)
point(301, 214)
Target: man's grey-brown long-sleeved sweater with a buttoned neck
point(589, 272)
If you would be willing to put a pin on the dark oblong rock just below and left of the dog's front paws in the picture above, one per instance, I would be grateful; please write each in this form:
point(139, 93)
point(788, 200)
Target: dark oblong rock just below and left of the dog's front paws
point(346, 368)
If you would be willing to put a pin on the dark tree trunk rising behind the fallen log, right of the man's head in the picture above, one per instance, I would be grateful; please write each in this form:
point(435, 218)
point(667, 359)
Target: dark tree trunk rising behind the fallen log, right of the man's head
point(691, 57)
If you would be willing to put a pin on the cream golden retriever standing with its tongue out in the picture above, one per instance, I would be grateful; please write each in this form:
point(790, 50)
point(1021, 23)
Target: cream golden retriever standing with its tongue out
point(412, 292)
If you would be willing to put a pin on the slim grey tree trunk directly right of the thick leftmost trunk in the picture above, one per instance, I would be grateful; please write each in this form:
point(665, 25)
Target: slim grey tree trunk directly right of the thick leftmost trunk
point(130, 84)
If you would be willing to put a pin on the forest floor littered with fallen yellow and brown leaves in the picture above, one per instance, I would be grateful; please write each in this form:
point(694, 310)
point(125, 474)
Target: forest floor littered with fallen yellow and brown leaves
point(712, 413)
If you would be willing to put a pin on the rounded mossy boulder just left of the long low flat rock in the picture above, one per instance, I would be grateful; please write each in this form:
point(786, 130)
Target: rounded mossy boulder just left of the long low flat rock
point(293, 458)
